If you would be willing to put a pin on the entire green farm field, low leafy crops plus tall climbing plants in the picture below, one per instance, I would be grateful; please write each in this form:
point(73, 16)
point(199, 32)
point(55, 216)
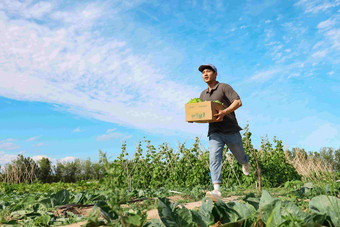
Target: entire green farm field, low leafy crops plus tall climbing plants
point(166, 187)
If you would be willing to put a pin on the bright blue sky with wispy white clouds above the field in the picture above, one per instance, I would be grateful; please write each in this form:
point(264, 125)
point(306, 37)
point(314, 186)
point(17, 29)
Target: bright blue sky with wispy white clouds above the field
point(79, 76)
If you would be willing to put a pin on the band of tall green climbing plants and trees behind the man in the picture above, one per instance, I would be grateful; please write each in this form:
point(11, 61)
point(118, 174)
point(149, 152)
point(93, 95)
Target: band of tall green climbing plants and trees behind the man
point(185, 167)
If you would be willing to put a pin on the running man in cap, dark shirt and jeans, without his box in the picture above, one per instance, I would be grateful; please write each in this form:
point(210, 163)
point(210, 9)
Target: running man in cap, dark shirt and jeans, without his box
point(224, 132)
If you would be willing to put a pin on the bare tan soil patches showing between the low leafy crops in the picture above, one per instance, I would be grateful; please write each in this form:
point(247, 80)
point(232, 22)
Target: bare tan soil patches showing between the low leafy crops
point(152, 214)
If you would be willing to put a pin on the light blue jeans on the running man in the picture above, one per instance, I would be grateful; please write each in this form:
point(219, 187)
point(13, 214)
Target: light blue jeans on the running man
point(216, 145)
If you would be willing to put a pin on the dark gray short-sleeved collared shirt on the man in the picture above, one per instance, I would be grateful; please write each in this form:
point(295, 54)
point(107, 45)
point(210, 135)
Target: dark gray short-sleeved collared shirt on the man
point(225, 94)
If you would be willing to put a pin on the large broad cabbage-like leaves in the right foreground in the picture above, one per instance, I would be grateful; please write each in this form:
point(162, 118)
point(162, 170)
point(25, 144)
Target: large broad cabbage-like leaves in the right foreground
point(266, 211)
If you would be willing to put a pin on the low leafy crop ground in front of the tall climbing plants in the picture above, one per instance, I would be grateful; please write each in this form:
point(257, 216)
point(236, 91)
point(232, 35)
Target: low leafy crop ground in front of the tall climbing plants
point(60, 204)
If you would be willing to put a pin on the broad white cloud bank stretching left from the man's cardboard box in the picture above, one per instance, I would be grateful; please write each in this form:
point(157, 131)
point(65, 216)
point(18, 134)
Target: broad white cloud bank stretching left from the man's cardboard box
point(95, 77)
